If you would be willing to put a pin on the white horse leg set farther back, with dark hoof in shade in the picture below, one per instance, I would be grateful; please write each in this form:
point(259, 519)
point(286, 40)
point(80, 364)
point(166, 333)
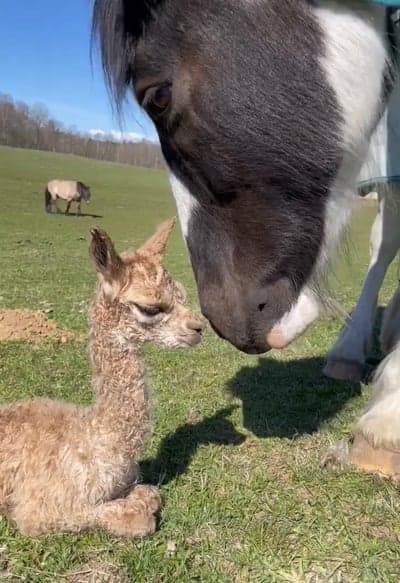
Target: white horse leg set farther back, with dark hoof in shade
point(347, 358)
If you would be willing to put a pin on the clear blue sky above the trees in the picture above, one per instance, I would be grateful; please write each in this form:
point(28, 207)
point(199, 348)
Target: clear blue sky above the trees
point(45, 57)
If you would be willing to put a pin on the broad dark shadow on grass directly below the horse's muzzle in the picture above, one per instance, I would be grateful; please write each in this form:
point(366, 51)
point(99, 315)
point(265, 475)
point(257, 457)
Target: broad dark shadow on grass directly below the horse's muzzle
point(288, 399)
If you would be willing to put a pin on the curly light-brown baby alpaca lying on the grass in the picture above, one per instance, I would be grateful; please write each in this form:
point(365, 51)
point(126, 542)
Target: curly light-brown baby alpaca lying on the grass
point(70, 468)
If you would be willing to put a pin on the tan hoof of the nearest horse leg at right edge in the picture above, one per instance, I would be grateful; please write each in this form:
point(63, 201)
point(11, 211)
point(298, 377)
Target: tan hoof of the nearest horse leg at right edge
point(375, 460)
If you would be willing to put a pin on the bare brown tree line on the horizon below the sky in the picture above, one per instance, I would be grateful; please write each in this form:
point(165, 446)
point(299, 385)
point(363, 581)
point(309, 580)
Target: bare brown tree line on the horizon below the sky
point(24, 126)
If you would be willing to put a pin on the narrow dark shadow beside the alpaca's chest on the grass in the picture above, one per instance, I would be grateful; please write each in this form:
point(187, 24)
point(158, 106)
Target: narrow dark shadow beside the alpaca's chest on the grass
point(177, 449)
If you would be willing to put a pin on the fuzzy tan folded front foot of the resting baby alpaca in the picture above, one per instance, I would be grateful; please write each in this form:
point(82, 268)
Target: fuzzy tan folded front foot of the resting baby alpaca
point(134, 516)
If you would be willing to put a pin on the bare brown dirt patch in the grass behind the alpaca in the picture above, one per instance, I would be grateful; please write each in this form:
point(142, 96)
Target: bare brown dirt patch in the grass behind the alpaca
point(30, 326)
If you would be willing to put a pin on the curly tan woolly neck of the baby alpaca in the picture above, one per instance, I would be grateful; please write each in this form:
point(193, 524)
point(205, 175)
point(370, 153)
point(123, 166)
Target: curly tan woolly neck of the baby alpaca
point(120, 410)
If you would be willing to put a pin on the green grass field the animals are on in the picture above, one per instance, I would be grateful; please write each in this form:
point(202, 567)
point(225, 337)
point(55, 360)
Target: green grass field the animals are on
point(236, 440)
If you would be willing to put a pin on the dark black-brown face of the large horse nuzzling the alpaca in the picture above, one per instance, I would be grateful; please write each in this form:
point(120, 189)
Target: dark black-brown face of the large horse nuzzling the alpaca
point(250, 125)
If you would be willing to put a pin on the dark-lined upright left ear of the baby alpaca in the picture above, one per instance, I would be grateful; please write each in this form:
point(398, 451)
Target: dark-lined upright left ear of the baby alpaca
point(106, 260)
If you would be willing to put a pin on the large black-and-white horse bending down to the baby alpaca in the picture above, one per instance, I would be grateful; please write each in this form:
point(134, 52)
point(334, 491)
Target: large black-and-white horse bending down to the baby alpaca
point(264, 112)
